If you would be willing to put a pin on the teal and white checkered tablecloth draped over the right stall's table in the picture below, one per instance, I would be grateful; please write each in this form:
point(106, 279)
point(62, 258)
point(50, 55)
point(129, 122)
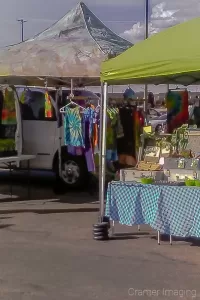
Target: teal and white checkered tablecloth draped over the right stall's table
point(170, 209)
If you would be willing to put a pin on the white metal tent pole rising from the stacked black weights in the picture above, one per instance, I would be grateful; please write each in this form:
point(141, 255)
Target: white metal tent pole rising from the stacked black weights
point(102, 173)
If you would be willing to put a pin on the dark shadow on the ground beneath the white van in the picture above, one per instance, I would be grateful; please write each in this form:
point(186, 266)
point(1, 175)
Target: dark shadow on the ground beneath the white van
point(42, 187)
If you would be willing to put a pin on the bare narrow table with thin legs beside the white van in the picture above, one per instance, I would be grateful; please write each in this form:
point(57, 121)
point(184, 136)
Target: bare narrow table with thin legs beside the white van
point(9, 161)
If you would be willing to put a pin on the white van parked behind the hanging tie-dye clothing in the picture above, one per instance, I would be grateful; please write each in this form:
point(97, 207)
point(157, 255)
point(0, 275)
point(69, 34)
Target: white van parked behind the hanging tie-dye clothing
point(40, 136)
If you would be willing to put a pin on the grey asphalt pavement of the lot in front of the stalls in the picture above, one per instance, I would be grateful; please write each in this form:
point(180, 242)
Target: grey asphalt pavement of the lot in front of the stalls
point(51, 254)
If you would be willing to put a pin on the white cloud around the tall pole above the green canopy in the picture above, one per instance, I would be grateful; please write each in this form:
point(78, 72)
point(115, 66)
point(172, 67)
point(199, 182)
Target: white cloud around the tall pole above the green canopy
point(164, 15)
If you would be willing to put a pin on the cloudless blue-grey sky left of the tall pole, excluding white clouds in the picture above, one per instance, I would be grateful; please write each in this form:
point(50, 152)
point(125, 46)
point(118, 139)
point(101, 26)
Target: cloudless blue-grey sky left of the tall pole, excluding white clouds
point(42, 13)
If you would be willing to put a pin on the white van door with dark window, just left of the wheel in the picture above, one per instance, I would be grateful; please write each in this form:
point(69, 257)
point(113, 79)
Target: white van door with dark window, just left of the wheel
point(38, 131)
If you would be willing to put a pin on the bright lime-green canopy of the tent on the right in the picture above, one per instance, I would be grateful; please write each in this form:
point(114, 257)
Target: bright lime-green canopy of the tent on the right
point(169, 57)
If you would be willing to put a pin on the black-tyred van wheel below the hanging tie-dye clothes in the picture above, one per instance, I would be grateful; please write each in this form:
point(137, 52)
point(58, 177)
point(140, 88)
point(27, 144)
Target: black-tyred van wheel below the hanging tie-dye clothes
point(74, 173)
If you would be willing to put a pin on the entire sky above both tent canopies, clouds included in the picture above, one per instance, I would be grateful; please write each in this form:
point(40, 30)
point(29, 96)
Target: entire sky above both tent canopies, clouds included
point(121, 16)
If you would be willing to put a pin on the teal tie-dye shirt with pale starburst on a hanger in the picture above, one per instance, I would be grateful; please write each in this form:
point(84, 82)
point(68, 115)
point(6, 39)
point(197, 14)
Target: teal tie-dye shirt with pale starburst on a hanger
point(73, 127)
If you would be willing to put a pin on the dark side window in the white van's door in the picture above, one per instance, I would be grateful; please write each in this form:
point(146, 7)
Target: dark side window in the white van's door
point(34, 108)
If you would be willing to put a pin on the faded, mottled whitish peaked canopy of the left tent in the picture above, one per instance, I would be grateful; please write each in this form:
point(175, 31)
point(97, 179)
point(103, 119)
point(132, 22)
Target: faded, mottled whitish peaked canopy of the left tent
point(73, 47)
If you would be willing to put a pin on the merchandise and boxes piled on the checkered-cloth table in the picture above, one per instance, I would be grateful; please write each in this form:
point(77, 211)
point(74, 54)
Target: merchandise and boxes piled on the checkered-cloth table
point(178, 164)
